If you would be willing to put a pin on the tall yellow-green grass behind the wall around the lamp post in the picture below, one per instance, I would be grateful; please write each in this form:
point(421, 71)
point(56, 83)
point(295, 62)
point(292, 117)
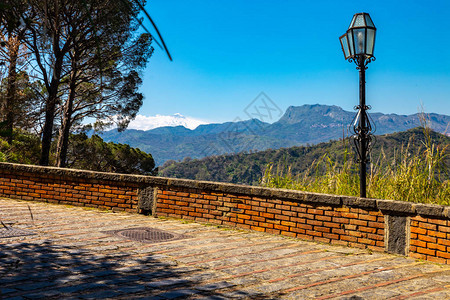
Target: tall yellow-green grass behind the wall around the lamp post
point(417, 174)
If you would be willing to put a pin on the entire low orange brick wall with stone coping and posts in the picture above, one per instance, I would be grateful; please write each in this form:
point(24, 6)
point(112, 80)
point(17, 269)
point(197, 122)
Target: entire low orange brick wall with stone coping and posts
point(419, 230)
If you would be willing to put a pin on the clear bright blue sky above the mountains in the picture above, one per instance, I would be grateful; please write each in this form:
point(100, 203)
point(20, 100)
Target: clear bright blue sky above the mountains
point(226, 52)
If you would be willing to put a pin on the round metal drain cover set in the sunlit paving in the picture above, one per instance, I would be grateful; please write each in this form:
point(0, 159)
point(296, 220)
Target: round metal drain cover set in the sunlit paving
point(146, 235)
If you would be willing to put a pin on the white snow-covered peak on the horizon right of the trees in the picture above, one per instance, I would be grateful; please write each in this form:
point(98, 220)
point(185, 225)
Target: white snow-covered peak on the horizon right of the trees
point(142, 122)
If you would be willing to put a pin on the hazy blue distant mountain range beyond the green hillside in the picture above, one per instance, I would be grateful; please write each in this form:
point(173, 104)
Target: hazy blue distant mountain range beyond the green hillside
point(300, 125)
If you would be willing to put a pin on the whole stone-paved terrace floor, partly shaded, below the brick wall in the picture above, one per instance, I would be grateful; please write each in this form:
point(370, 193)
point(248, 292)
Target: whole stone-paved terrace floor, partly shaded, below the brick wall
point(71, 256)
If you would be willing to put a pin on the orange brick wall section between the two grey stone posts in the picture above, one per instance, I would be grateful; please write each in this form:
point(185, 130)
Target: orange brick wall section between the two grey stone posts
point(309, 220)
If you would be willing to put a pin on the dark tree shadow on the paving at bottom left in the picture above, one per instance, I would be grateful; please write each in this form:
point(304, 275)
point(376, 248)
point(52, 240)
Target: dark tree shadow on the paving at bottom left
point(52, 271)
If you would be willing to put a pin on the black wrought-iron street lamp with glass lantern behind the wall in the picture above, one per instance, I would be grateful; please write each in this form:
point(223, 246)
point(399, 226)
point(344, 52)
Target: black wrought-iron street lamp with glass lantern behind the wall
point(358, 44)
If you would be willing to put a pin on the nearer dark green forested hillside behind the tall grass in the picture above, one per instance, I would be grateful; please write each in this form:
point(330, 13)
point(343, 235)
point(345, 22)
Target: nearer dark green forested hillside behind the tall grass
point(249, 168)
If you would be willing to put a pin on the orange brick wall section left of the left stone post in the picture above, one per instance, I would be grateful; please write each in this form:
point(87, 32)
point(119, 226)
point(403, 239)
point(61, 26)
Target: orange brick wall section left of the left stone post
point(31, 183)
